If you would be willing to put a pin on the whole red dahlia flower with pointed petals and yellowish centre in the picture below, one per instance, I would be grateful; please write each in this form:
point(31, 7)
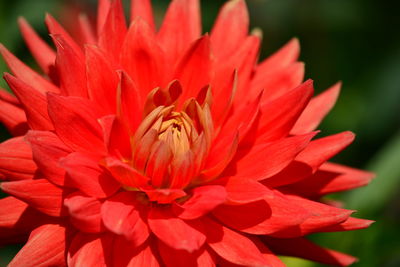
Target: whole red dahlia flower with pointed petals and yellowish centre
point(145, 147)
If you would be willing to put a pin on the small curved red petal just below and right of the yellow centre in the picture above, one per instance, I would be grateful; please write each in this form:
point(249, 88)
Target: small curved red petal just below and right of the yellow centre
point(203, 200)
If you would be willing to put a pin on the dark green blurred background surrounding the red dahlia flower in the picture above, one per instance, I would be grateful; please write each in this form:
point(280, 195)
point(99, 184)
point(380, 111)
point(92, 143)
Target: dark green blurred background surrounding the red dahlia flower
point(355, 41)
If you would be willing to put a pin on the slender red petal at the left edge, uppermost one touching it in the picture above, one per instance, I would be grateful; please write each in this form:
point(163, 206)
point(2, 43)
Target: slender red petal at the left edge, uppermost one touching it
point(26, 74)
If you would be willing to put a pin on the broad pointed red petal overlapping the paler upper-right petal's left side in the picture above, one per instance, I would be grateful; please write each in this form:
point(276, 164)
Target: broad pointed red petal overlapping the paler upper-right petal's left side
point(279, 115)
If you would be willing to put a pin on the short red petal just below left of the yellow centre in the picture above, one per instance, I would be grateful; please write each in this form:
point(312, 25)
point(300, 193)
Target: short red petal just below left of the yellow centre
point(125, 174)
